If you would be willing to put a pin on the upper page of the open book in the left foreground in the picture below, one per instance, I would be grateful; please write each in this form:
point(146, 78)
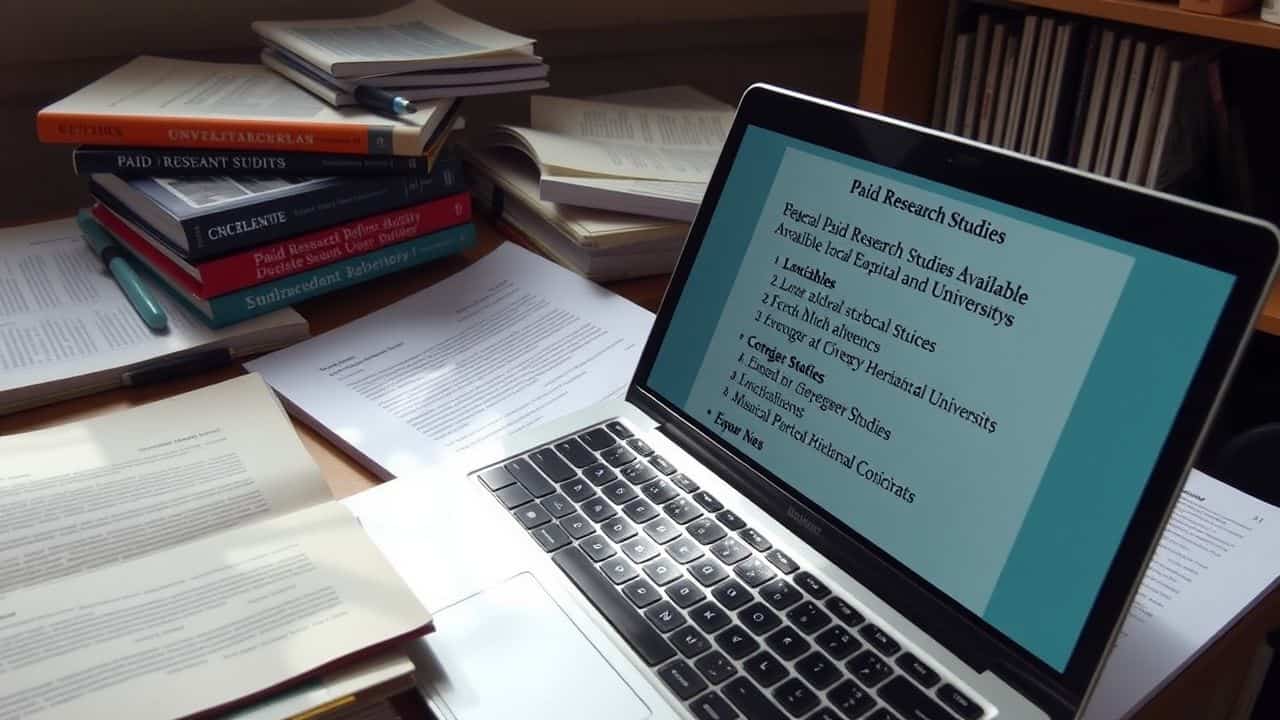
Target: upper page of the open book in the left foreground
point(103, 491)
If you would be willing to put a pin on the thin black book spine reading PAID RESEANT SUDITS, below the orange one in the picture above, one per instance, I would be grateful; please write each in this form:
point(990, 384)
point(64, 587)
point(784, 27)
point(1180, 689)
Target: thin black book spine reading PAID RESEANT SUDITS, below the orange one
point(173, 162)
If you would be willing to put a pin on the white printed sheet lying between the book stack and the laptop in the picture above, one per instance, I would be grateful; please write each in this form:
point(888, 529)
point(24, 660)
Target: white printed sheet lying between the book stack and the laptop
point(509, 344)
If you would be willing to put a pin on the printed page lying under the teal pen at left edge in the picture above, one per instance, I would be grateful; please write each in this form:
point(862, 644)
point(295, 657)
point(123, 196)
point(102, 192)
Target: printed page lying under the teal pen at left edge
point(63, 321)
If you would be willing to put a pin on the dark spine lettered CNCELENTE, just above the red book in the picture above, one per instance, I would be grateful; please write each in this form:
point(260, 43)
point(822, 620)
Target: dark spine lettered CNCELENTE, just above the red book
point(236, 229)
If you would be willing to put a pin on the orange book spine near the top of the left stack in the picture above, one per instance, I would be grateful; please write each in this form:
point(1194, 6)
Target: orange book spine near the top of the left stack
point(225, 134)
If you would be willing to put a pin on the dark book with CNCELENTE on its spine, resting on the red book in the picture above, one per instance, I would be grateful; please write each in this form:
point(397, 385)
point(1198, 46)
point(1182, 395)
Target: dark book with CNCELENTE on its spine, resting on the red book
point(207, 217)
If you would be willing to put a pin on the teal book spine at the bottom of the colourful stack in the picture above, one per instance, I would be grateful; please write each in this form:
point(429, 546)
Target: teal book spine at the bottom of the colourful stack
point(239, 307)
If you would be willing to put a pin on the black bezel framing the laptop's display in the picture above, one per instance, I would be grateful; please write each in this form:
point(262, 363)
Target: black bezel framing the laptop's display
point(1150, 220)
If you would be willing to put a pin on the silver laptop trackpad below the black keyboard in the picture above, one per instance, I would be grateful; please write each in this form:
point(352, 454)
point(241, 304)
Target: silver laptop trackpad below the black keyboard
point(510, 651)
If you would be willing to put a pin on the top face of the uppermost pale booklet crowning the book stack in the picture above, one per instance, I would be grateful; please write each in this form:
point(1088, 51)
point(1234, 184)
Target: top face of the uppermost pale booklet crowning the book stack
point(415, 37)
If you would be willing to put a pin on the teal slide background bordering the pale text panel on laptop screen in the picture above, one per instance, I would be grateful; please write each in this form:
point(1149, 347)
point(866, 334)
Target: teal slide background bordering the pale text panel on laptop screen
point(1103, 459)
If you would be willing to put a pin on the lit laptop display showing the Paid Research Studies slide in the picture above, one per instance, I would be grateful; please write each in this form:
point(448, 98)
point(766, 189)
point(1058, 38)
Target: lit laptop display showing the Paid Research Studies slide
point(977, 390)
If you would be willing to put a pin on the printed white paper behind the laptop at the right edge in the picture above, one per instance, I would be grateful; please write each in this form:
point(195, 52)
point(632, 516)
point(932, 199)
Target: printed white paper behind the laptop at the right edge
point(1215, 560)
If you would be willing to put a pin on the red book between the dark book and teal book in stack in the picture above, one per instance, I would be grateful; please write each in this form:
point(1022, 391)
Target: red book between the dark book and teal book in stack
point(267, 263)
